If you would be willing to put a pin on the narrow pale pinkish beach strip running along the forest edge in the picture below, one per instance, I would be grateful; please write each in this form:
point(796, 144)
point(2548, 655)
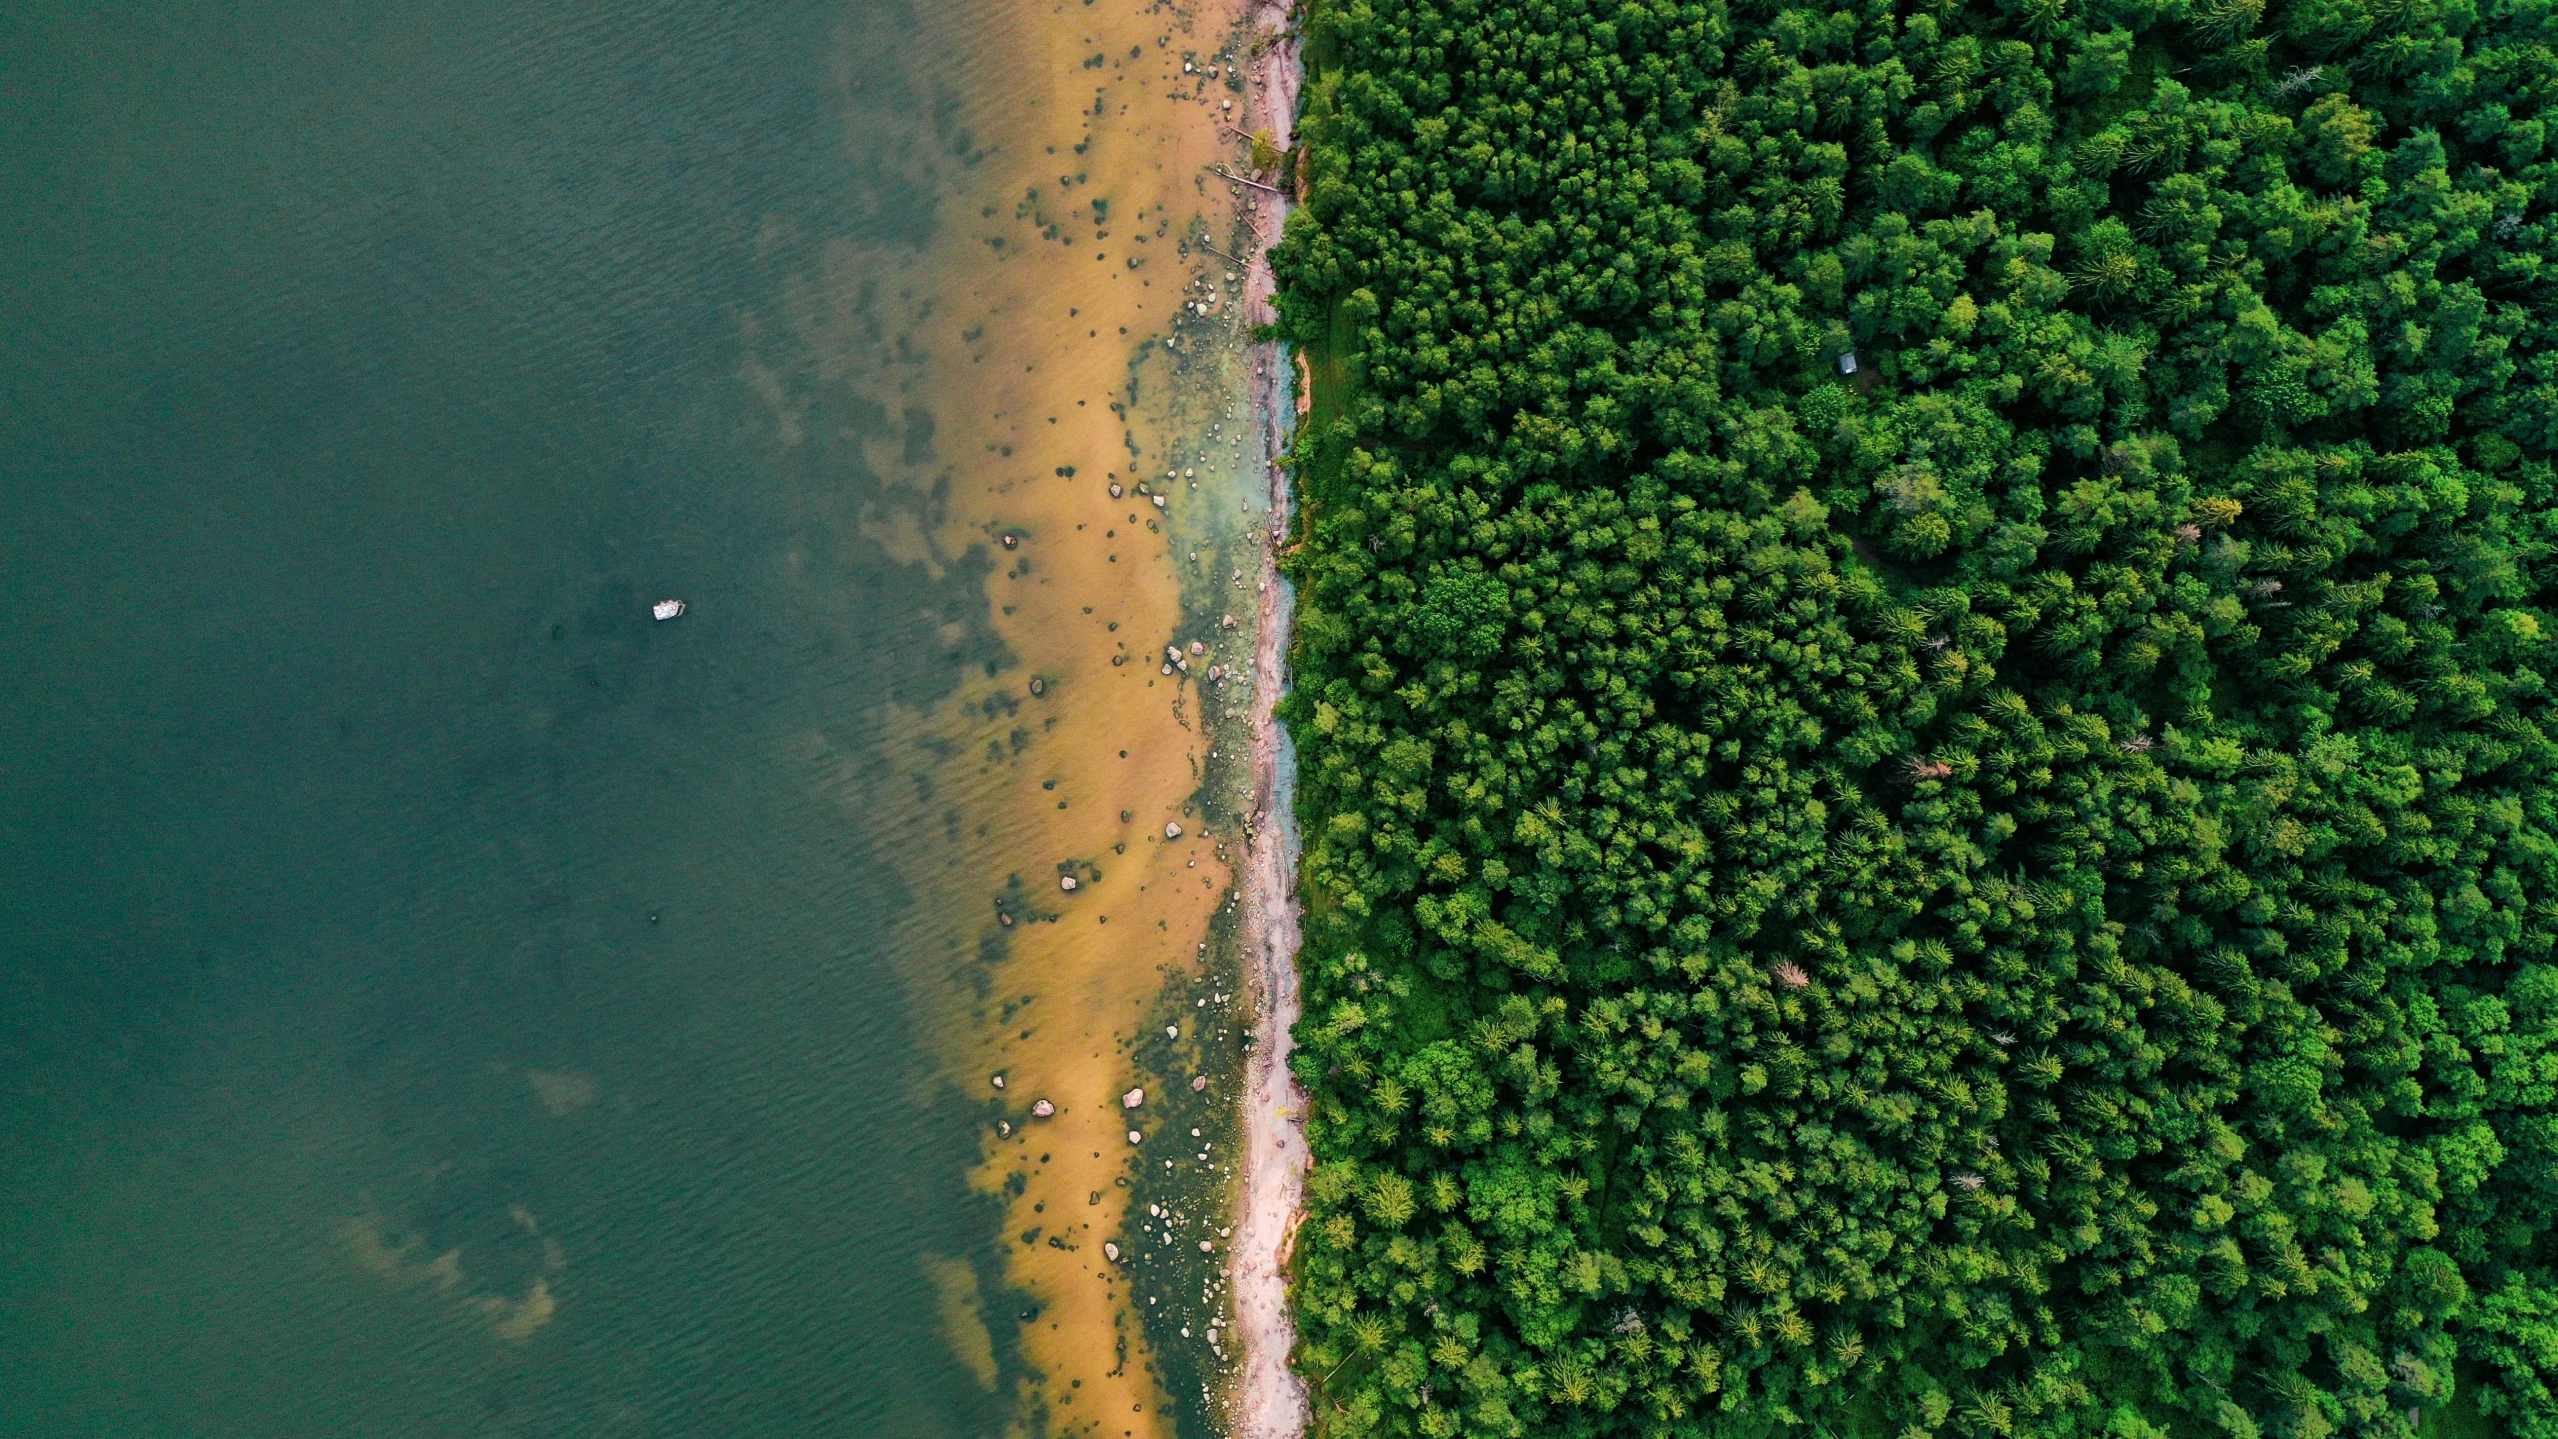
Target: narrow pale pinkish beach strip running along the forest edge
point(1270, 1399)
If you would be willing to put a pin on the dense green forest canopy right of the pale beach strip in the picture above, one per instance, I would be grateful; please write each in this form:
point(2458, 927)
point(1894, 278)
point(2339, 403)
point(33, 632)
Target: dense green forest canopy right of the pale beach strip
point(1927, 773)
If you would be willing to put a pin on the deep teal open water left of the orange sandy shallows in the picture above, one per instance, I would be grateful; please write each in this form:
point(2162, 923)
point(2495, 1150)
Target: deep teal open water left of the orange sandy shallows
point(436, 998)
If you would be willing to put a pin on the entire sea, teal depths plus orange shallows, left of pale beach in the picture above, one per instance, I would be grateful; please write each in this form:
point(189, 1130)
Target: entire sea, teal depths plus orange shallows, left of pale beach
point(441, 1001)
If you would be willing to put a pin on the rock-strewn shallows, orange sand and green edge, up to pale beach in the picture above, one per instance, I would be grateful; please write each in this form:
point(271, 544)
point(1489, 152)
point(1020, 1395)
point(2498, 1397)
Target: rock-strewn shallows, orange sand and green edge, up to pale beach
point(1076, 809)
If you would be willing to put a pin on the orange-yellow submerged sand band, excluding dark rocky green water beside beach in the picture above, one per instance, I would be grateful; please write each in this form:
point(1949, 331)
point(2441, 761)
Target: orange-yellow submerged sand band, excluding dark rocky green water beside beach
point(1022, 349)
